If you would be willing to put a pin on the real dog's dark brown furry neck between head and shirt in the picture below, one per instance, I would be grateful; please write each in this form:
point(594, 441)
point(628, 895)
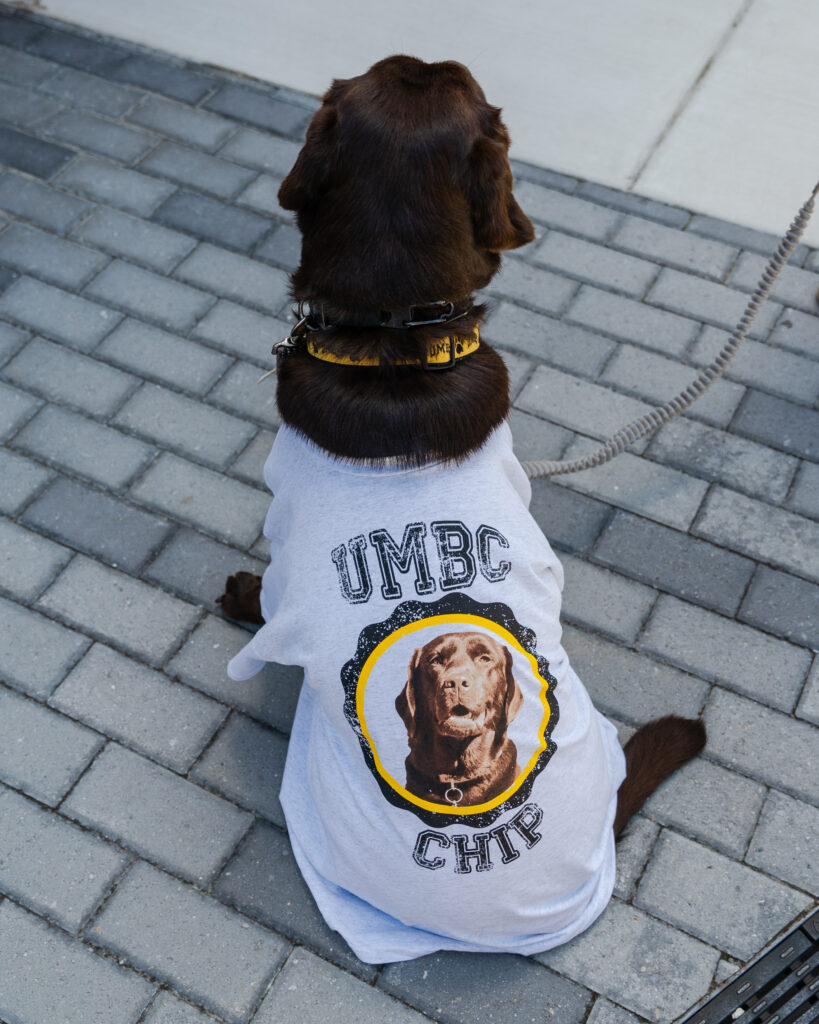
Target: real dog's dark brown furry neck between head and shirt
point(404, 413)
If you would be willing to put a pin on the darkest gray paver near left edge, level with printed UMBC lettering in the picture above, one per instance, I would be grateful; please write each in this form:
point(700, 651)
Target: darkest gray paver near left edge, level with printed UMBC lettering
point(95, 523)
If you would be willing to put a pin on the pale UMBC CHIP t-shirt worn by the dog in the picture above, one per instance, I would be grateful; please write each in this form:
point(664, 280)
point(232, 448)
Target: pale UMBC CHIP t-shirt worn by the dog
point(449, 785)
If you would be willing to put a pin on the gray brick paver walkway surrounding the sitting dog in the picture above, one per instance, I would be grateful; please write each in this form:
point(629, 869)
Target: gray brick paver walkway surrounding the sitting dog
point(145, 874)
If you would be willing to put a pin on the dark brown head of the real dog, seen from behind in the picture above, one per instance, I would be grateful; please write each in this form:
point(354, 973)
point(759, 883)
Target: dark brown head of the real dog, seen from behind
point(403, 191)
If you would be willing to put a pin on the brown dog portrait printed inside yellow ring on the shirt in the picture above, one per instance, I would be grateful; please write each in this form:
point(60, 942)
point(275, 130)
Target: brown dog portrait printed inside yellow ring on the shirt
point(461, 697)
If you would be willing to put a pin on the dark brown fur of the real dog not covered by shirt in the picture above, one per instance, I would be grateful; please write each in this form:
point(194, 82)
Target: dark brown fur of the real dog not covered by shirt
point(404, 196)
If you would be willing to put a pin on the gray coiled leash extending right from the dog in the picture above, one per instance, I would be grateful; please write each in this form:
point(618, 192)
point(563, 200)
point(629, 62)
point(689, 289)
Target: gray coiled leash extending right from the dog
point(664, 414)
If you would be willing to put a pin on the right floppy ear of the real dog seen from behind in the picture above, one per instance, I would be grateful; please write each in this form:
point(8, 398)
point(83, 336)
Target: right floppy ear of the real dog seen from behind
point(498, 222)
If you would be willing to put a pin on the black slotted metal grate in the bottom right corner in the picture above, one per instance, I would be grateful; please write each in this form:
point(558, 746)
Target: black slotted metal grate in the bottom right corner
point(782, 987)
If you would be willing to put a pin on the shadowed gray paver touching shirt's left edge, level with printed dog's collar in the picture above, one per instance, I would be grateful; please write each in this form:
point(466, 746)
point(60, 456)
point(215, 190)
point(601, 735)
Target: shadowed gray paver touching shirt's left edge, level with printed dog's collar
point(246, 763)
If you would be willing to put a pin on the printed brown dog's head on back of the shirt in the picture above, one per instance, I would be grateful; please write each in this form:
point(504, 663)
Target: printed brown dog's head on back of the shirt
point(460, 686)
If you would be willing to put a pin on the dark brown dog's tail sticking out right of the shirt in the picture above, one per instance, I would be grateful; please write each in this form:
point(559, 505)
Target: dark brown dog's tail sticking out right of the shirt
point(655, 753)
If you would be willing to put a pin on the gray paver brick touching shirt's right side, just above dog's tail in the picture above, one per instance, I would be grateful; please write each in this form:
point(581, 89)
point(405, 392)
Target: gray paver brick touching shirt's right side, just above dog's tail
point(632, 687)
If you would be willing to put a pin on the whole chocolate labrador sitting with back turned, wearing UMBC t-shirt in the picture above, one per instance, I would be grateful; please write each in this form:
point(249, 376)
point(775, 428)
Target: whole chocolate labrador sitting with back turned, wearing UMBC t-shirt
point(395, 438)
